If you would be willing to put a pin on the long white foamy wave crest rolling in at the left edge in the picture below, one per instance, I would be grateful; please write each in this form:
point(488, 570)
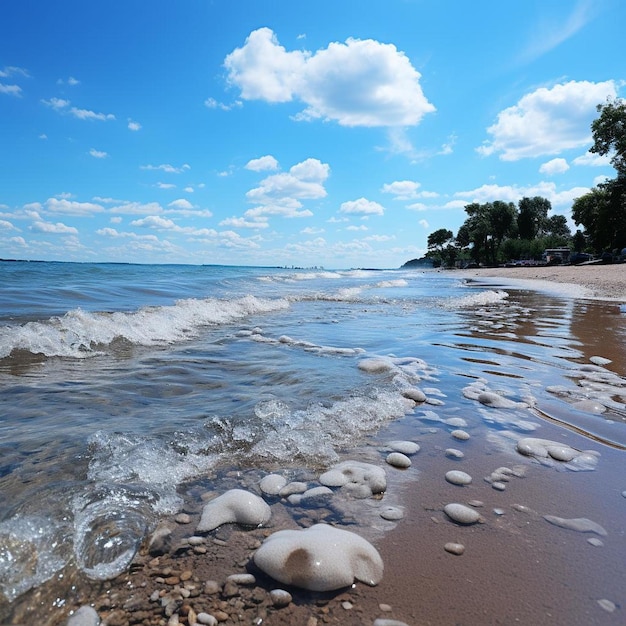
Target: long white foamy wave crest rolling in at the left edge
point(80, 333)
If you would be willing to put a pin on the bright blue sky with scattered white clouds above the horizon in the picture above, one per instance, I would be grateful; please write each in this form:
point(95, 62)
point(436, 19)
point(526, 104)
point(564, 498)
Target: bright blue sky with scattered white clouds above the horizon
point(331, 133)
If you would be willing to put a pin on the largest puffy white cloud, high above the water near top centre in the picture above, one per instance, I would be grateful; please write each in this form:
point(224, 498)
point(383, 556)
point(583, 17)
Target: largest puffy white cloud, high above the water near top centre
point(356, 83)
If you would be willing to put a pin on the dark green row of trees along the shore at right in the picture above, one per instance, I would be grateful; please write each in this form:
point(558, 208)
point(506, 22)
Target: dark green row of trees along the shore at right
point(497, 232)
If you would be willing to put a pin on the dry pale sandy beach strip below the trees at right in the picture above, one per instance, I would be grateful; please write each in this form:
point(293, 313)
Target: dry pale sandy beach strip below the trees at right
point(605, 282)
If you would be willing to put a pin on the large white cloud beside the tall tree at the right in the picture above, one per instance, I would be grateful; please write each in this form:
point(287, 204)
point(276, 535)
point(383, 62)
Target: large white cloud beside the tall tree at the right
point(547, 121)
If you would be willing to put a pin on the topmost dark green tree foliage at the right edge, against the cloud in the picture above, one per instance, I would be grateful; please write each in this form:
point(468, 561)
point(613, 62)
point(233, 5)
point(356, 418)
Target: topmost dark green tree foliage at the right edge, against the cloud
point(609, 133)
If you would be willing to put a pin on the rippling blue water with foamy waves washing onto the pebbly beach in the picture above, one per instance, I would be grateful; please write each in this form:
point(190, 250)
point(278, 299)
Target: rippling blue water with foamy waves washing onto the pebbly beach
point(121, 385)
